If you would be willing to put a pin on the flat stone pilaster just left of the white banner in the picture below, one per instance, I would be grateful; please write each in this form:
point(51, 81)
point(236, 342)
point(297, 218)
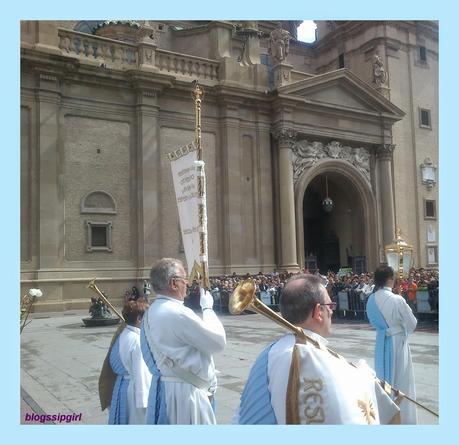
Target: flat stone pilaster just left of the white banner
point(149, 240)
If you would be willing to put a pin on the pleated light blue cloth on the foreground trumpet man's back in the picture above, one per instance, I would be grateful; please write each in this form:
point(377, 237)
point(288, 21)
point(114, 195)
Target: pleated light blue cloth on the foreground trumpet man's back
point(256, 408)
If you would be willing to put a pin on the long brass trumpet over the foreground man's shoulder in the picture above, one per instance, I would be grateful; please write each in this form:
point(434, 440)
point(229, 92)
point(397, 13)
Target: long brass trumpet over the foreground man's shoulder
point(244, 298)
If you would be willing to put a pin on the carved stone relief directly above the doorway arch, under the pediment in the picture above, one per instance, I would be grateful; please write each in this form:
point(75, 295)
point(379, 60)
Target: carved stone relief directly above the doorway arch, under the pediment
point(306, 154)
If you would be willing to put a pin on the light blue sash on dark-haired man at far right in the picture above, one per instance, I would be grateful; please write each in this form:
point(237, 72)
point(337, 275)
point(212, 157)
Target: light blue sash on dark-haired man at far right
point(384, 345)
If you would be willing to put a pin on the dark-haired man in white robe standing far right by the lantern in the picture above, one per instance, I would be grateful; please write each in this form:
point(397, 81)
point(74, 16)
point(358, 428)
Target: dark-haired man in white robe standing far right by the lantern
point(394, 321)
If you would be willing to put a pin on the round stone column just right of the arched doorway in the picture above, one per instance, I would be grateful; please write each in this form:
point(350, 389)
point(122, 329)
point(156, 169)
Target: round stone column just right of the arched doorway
point(384, 155)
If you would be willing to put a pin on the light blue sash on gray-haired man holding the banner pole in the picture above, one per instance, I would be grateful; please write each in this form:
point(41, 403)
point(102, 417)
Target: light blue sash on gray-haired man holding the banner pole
point(156, 411)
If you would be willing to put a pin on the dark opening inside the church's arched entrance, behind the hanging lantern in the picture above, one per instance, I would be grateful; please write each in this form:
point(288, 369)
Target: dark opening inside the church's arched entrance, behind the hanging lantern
point(334, 239)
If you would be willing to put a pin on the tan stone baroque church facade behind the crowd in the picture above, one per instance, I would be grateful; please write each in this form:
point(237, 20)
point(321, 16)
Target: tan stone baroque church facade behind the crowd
point(315, 152)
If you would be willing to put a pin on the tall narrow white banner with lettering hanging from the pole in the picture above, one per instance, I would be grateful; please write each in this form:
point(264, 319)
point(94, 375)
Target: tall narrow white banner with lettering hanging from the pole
point(186, 192)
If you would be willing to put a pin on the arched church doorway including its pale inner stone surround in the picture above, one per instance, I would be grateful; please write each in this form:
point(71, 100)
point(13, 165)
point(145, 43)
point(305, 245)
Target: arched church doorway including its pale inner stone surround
point(348, 235)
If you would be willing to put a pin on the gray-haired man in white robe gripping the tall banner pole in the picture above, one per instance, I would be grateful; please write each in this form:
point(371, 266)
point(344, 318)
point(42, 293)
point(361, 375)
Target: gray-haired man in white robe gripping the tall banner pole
point(177, 346)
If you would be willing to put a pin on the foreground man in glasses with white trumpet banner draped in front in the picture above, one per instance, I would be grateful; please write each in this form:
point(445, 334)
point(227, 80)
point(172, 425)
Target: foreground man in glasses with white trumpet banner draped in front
point(296, 383)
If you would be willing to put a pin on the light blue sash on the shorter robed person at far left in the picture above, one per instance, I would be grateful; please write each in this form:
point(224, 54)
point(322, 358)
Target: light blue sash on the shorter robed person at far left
point(118, 408)
